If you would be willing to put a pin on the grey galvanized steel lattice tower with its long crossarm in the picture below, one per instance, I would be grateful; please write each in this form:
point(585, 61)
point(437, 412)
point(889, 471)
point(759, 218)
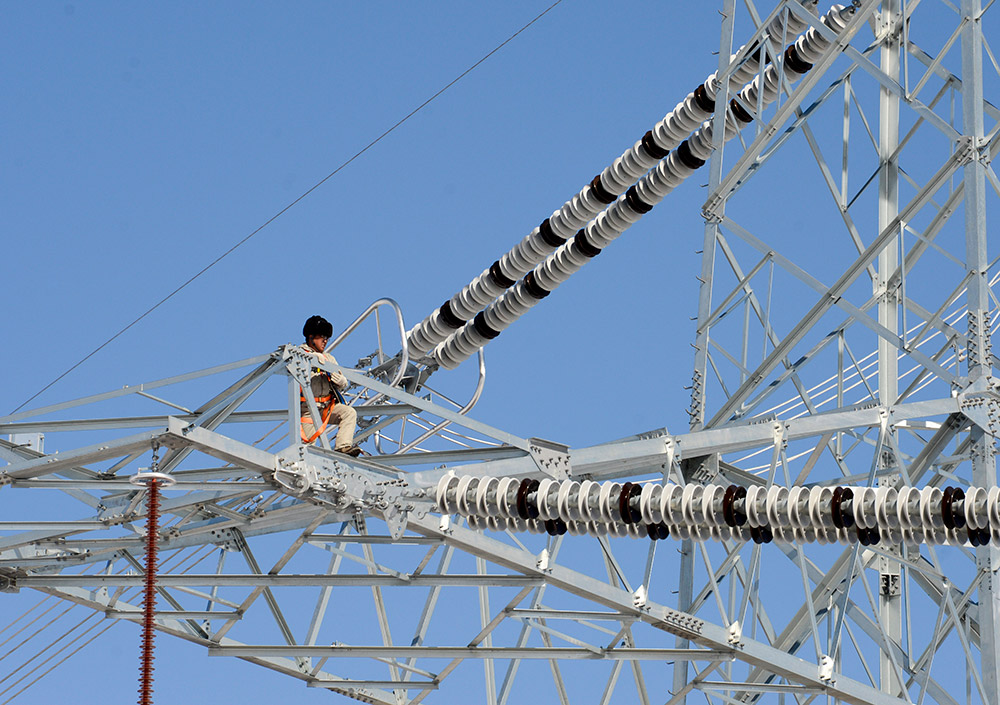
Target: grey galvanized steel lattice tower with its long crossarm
point(851, 365)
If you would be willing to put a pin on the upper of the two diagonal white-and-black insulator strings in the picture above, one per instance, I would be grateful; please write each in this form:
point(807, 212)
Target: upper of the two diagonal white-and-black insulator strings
point(613, 181)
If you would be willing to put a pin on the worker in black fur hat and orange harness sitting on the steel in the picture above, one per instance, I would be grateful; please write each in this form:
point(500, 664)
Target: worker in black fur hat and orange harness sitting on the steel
point(326, 388)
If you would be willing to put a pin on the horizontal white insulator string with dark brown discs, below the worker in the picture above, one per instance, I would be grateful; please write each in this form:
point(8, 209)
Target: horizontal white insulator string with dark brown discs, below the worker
point(867, 515)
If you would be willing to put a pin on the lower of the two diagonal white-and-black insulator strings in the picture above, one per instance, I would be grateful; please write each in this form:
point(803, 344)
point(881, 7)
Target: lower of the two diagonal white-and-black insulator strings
point(665, 173)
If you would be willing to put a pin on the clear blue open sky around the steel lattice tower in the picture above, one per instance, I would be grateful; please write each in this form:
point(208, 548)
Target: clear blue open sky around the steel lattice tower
point(142, 141)
